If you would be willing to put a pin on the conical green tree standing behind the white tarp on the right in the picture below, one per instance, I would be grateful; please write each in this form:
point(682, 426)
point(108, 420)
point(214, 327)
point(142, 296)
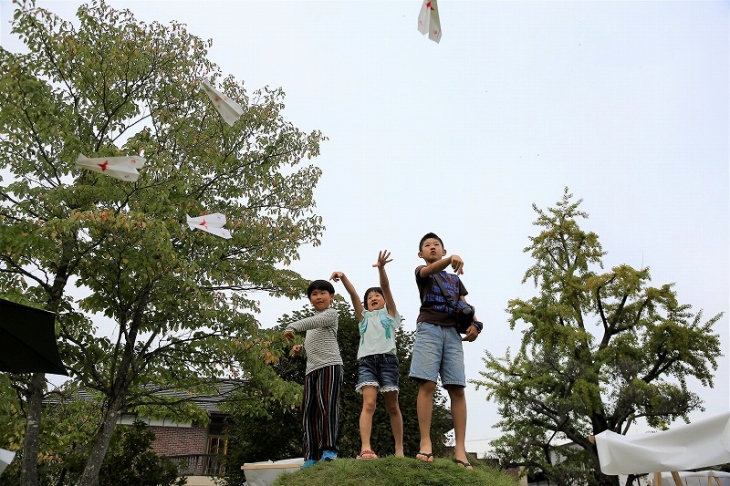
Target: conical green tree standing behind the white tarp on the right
point(601, 351)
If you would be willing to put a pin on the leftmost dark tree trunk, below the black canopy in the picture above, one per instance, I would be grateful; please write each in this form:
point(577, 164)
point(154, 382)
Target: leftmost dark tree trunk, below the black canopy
point(31, 441)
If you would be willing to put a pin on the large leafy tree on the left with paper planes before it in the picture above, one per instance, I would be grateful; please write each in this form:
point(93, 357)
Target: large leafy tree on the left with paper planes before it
point(111, 85)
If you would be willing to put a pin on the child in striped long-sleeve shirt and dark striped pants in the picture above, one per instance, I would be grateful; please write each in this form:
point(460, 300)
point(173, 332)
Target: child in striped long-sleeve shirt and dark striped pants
point(323, 380)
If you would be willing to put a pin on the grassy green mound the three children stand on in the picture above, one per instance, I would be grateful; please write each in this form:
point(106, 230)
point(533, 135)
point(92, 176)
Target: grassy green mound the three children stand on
point(394, 471)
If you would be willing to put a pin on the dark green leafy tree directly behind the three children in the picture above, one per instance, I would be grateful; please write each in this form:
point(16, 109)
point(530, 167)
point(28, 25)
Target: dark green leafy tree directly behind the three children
point(274, 432)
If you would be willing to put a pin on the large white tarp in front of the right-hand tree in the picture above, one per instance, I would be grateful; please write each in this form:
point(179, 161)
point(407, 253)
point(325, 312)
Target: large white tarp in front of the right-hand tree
point(700, 444)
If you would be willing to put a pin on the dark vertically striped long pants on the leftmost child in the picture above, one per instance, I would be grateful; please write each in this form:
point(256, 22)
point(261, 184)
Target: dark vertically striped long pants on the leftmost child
point(321, 410)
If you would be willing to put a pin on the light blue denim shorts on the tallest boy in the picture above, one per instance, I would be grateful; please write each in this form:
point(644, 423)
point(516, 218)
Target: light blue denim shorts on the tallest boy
point(438, 351)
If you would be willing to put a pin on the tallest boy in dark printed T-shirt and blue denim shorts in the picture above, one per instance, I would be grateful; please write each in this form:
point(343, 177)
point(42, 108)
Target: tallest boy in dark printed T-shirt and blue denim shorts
point(437, 348)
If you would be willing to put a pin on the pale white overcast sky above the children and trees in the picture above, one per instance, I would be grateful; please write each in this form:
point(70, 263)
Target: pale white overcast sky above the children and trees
point(626, 103)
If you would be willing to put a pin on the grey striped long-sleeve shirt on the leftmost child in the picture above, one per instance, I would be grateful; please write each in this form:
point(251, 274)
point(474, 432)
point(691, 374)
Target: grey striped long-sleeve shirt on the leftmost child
point(320, 343)
